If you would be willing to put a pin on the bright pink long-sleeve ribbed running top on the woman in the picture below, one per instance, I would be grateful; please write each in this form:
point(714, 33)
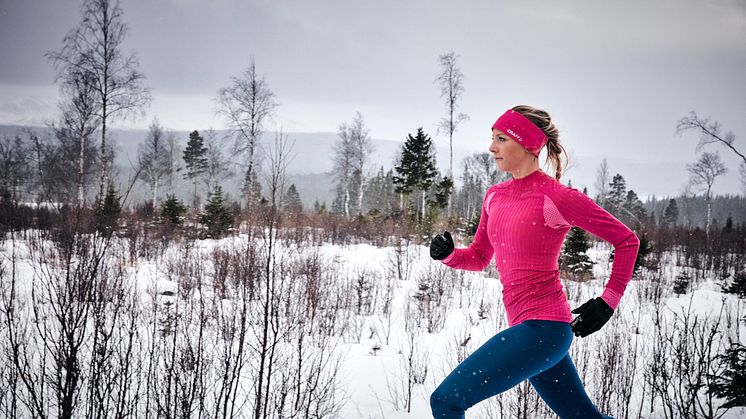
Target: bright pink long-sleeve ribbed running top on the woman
point(523, 225)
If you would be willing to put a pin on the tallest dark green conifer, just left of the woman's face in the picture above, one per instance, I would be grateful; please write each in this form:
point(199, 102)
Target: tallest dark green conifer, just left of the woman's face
point(415, 171)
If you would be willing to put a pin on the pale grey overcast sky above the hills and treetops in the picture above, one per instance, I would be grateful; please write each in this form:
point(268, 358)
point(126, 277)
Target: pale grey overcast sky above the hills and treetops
point(615, 75)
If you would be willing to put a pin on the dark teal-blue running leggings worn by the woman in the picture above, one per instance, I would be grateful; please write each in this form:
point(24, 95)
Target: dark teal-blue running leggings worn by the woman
point(535, 350)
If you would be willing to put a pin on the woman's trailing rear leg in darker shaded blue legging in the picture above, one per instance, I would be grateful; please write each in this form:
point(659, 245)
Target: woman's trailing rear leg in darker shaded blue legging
point(560, 387)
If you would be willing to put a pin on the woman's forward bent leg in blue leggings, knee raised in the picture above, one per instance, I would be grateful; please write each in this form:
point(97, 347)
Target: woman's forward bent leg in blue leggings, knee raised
point(508, 358)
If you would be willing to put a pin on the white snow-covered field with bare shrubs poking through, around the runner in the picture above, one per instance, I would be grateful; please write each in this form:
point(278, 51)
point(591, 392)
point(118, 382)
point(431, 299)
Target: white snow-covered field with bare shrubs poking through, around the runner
point(402, 322)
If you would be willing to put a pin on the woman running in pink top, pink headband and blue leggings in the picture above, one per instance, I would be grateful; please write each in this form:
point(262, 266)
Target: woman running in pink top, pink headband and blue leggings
point(523, 224)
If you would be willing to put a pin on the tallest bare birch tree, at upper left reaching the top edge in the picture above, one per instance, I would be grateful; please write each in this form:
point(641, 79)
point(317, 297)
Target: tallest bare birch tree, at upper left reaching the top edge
point(94, 50)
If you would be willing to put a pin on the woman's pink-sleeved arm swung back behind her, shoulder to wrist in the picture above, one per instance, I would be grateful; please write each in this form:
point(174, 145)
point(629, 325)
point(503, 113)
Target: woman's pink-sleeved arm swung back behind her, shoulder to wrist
point(579, 210)
